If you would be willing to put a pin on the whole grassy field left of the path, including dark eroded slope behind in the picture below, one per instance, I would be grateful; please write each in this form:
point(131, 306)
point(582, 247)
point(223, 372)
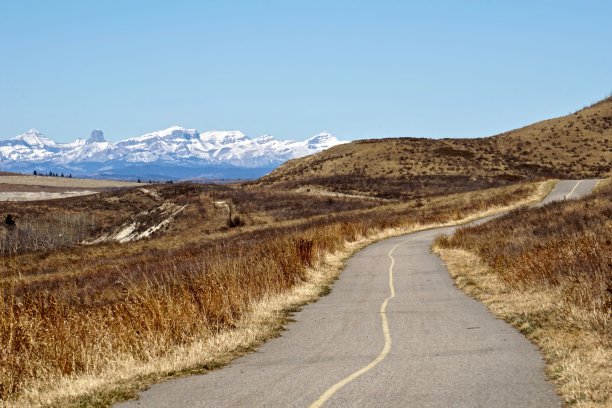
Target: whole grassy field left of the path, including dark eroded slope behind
point(90, 324)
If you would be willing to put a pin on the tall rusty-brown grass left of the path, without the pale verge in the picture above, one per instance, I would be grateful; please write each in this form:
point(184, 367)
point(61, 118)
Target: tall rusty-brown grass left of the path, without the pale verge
point(136, 301)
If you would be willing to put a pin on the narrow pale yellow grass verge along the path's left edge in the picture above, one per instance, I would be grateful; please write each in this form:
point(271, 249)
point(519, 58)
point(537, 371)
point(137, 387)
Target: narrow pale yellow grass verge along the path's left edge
point(125, 375)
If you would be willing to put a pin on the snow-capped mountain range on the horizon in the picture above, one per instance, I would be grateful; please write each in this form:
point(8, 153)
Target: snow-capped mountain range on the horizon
point(170, 149)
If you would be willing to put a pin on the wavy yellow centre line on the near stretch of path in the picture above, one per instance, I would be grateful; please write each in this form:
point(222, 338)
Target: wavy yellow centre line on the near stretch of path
point(386, 348)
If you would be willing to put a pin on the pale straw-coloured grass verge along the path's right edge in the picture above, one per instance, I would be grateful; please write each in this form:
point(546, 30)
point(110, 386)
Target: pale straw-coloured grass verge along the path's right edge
point(578, 362)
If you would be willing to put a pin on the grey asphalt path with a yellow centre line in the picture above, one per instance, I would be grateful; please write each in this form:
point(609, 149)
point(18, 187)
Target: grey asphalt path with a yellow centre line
point(429, 345)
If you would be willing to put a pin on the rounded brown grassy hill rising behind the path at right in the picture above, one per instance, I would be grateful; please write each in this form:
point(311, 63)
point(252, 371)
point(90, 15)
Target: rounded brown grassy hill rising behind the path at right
point(574, 146)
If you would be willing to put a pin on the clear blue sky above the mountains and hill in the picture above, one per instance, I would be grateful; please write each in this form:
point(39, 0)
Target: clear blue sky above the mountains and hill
point(294, 68)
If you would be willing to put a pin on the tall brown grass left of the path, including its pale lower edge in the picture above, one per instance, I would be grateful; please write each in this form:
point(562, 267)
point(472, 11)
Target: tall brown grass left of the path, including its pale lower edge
point(69, 340)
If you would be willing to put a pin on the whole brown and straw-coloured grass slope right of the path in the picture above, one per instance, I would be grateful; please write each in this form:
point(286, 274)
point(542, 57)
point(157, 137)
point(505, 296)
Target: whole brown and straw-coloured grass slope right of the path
point(551, 277)
